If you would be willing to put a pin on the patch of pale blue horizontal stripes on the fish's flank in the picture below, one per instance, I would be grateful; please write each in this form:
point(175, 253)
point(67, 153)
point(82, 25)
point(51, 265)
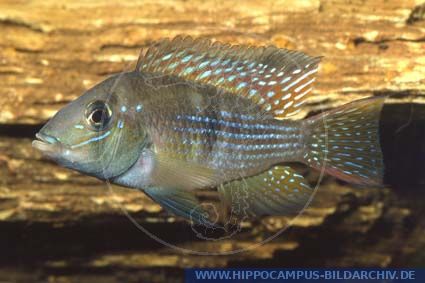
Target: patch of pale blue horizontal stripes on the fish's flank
point(233, 145)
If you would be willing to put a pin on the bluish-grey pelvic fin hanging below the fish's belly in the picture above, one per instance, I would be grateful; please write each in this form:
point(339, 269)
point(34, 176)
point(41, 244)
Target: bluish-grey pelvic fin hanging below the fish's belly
point(181, 203)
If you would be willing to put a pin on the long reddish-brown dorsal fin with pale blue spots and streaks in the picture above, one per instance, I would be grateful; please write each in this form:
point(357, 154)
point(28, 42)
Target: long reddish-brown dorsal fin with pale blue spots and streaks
point(277, 79)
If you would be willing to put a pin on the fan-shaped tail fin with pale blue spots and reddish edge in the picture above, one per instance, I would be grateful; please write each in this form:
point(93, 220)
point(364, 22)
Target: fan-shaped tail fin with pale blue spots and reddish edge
point(345, 141)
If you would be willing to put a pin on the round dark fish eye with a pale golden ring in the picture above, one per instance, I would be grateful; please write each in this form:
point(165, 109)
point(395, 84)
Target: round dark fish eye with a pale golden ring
point(98, 115)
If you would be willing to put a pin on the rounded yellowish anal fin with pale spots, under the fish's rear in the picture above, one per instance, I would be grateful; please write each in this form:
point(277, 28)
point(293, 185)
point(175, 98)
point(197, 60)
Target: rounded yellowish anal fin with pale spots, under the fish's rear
point(277, 191)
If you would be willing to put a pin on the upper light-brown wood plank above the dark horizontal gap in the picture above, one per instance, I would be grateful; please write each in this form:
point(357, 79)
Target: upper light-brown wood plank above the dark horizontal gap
point(50, 55)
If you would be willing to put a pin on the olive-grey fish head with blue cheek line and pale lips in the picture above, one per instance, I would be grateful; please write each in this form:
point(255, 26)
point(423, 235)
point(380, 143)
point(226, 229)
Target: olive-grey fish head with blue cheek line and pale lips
point(98, 133)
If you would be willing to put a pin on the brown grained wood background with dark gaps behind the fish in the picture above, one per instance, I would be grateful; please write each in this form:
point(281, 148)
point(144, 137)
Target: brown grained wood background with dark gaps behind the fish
point(59, 226)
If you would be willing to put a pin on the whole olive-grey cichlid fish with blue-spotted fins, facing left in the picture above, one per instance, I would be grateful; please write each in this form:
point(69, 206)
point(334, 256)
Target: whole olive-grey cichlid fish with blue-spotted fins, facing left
point(196, 114)
